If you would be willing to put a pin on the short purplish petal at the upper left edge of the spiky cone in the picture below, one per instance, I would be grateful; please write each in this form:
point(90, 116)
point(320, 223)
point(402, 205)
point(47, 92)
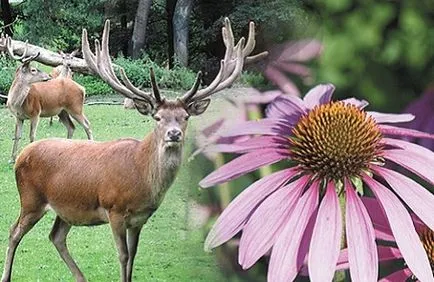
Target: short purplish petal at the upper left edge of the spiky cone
point(286, 107)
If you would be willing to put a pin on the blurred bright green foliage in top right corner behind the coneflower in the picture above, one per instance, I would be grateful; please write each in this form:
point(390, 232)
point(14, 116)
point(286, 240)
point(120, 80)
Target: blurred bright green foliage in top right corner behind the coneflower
point(381, 51)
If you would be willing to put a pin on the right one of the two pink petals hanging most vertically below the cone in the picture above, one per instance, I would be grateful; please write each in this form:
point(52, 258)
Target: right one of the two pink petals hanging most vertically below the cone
point(362, 250)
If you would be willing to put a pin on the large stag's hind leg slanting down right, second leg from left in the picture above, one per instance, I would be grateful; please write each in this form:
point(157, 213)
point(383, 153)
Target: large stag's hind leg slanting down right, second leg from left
point(58, 237)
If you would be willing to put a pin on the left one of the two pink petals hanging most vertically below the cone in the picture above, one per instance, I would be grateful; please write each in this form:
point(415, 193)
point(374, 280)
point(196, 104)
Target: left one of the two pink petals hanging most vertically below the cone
point(326, 238)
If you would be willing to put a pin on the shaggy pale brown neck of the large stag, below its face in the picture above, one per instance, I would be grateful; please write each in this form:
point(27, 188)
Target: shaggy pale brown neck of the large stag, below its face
point(163, 164)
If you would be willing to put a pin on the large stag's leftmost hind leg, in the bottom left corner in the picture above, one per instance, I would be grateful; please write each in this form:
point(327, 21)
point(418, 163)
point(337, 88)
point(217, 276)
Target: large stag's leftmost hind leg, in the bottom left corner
point(24, 223)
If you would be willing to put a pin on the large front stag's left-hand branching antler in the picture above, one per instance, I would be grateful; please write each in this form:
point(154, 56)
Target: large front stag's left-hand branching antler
point(100, 63)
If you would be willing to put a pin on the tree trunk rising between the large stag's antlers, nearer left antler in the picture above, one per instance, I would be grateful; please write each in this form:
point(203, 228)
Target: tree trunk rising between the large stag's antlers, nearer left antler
point(139, 32)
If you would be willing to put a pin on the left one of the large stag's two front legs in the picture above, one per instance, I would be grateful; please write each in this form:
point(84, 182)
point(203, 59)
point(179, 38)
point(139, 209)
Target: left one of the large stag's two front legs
point(117, 224)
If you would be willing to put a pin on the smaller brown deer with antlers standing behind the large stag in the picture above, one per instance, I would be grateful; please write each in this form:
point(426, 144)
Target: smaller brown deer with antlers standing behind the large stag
point(33, 95)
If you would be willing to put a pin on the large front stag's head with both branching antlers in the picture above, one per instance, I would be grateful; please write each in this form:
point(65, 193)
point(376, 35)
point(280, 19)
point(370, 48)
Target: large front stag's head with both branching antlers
point(171, 116)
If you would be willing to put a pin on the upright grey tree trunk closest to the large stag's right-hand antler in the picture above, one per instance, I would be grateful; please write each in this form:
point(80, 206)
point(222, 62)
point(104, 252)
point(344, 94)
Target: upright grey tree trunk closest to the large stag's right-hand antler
point(180, 27)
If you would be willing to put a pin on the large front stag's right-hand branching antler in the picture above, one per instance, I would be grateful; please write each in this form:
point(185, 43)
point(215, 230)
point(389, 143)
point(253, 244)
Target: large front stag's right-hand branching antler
point(231, 65)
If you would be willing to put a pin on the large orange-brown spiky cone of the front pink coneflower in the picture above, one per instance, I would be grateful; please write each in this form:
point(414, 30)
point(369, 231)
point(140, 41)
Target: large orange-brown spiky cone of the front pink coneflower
point(335, 140)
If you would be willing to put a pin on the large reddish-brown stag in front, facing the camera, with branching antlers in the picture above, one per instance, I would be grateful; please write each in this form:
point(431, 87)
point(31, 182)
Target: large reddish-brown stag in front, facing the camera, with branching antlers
point(118, 182)
